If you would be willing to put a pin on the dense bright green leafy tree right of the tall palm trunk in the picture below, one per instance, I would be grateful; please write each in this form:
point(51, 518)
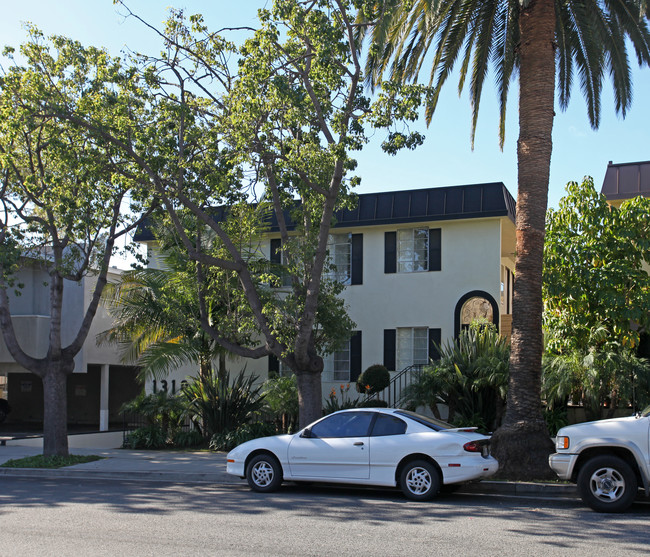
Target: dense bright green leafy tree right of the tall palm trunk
point(596, 283)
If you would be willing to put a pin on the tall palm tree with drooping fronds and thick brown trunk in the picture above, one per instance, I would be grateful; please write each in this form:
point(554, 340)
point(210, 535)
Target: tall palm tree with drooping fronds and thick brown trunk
point(538, 40)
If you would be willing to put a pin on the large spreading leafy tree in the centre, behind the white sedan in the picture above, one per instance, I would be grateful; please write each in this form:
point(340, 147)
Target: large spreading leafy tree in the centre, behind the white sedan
point(279, 131)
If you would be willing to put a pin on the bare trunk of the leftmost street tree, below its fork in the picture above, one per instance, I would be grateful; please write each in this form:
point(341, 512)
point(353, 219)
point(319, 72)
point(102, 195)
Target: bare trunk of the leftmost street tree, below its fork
point(55, 412)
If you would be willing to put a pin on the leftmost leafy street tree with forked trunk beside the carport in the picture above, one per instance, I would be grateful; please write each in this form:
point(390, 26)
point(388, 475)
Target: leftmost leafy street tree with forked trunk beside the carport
point(63, 202)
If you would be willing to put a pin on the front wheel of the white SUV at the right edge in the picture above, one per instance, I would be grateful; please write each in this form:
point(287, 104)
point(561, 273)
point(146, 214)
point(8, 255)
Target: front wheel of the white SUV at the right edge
point(607, 484)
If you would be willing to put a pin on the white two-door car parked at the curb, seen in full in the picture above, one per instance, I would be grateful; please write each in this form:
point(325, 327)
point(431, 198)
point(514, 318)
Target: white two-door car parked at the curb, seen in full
point(368, 446)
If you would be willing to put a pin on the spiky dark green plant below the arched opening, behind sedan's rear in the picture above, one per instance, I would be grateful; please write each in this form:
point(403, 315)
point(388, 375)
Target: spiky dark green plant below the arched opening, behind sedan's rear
point(471, 379)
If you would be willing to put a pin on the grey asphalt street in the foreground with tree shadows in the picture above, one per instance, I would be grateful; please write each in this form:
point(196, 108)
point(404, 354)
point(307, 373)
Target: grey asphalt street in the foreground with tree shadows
point(95, 517)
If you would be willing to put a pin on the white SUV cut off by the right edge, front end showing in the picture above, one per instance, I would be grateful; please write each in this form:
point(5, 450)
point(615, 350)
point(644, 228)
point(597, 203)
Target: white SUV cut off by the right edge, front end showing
point(608, 460)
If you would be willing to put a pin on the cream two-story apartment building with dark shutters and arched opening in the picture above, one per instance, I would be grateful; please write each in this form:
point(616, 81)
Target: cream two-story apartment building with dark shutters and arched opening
point(418, 265)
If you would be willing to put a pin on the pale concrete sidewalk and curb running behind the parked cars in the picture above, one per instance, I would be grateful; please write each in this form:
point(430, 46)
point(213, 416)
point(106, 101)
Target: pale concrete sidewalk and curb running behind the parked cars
point(208, 467)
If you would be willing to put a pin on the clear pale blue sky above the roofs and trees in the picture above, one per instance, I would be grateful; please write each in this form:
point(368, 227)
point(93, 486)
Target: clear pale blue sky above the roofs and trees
point(446, 157)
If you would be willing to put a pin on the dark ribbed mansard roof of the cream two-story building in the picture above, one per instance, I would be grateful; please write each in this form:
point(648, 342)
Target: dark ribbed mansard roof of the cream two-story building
point(395, 207)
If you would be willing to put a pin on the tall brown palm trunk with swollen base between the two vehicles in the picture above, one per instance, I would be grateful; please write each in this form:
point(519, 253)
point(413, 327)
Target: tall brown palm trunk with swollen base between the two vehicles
point(522, 444)
